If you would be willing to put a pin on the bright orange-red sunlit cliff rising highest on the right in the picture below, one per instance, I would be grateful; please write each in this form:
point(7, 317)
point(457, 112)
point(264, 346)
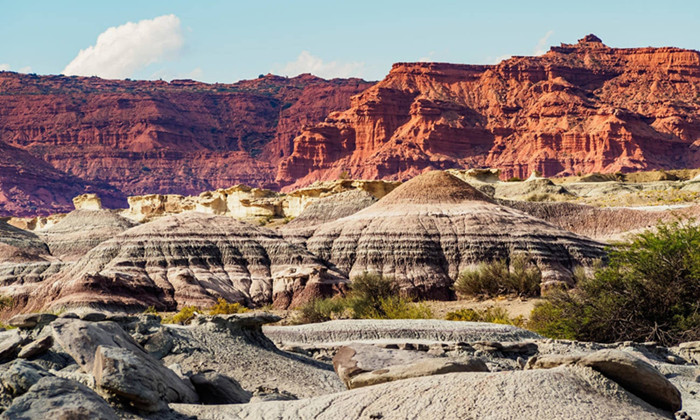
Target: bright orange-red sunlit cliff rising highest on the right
point(578, 108)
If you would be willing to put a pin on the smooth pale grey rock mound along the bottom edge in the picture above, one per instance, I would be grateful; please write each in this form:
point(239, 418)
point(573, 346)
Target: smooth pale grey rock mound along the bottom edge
point(560, 393)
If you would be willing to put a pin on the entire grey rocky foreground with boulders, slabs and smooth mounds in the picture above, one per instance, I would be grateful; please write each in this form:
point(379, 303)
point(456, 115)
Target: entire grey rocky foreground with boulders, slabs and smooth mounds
point(97, 366)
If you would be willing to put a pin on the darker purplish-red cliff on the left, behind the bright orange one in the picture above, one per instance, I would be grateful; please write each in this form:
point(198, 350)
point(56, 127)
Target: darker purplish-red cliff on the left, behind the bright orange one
point(62, 136)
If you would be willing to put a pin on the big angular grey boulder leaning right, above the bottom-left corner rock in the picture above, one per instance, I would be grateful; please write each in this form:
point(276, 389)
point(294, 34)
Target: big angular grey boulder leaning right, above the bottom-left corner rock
point(138, 380)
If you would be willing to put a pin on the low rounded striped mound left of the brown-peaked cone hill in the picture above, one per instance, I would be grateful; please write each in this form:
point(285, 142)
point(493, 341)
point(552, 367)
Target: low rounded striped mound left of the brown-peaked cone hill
point(187, 259)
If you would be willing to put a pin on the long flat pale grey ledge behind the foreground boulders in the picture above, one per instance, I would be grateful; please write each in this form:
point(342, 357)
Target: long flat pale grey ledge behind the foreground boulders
point(346, 331)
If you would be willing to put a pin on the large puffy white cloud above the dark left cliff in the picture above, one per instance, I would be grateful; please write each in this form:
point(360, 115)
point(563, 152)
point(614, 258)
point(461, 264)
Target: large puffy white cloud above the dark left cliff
point(120, 51)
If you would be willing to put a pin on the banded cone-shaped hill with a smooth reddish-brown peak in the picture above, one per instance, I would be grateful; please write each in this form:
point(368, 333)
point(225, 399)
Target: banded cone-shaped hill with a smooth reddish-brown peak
point(428, 230)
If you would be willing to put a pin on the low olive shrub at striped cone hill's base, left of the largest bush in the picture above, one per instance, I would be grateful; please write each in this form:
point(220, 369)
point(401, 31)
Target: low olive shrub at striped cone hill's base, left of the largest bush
point(520, 277)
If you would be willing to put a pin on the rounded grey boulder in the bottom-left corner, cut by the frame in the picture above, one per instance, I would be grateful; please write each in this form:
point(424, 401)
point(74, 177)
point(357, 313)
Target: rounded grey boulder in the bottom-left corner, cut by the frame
point(58, 398)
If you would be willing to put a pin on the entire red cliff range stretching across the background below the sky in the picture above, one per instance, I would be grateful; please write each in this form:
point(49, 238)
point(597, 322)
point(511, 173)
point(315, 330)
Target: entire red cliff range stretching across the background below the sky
point(580, 107)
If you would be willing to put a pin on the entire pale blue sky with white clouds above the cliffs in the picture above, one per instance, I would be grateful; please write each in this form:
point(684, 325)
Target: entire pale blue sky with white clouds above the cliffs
point(225, 41)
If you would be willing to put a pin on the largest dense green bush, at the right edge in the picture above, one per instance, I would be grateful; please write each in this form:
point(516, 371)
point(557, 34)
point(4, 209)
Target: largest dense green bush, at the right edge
point(649, 291)
